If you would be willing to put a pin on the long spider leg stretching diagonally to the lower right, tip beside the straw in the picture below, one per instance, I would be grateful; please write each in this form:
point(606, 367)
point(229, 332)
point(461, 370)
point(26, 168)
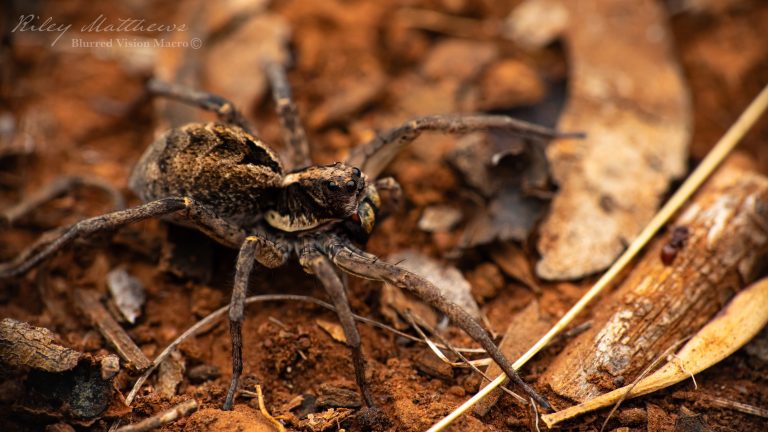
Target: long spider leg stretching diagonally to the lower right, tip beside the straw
point(349, 259)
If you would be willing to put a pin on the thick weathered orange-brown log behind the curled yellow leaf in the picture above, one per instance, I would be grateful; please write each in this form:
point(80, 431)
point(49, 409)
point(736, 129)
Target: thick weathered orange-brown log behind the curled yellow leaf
point(671, 293)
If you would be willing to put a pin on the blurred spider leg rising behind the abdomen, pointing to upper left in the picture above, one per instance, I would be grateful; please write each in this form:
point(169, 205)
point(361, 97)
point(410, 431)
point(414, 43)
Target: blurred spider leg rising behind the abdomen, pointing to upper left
point(224, 109)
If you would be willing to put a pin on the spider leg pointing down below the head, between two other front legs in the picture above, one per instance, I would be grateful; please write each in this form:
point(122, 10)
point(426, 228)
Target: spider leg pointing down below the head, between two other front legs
point(319, 265)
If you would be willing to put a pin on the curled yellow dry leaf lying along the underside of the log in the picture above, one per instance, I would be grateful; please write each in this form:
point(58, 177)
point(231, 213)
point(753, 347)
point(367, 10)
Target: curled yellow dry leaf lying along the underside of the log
point(741, 320)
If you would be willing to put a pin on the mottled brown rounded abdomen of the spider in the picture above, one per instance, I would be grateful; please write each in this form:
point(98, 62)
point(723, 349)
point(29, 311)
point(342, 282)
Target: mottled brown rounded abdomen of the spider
point(220, 166)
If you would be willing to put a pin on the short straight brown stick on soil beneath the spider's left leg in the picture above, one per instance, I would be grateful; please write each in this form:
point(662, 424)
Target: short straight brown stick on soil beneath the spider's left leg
point(90, 305)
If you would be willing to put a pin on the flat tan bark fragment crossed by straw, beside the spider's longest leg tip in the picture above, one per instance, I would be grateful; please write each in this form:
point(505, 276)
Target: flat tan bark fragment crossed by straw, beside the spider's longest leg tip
point(524, 330)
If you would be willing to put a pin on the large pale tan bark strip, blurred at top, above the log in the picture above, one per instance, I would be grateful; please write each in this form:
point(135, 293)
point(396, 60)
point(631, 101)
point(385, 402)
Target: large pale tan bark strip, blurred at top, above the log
point(630, 98)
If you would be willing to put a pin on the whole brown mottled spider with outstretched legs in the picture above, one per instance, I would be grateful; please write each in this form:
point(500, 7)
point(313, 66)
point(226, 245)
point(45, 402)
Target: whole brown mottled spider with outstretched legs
point(221, 179)
